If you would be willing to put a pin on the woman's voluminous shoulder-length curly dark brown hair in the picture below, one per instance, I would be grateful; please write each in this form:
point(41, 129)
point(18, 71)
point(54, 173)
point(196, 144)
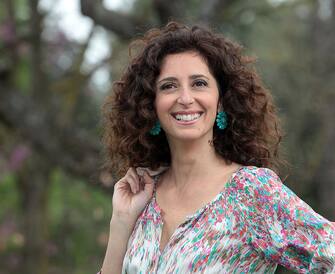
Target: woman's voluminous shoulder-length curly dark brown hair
point(253, 134)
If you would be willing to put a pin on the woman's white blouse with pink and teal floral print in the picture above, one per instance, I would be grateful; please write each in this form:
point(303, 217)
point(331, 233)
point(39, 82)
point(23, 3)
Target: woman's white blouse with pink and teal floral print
point(253, 224)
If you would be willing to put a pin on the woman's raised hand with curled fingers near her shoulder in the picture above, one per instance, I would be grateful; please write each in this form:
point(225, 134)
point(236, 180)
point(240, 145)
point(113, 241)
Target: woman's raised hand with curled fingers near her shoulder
point(131, 194)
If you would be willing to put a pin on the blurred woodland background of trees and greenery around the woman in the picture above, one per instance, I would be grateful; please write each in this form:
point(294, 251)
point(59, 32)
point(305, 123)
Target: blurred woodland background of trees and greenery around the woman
point(57, 62)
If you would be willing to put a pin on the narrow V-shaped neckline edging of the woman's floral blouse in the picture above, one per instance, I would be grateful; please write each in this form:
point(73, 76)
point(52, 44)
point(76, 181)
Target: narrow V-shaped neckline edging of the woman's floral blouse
point(190, 216)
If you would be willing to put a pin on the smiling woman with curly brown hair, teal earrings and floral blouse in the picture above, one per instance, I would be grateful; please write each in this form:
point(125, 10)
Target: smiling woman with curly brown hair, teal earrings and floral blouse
point(200, 133)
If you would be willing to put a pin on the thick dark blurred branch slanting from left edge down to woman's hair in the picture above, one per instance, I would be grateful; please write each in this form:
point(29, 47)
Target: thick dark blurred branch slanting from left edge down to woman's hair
point(71, 148)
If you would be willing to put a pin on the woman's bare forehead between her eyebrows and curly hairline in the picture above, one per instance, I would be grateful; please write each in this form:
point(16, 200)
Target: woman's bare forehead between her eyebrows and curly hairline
point(189, 62)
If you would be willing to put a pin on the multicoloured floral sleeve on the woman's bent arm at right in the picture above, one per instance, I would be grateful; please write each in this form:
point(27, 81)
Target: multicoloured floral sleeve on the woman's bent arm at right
point(284, 228)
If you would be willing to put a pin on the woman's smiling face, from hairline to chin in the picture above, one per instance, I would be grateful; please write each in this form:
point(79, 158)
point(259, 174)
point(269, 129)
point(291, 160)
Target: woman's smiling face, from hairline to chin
point(187, 97)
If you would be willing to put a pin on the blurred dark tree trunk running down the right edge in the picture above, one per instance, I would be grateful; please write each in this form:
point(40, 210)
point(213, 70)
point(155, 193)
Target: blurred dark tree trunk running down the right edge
point(323, 41)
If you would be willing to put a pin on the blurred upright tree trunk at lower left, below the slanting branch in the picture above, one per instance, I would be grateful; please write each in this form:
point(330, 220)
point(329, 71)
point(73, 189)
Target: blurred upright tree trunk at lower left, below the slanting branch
point(33, 185)
